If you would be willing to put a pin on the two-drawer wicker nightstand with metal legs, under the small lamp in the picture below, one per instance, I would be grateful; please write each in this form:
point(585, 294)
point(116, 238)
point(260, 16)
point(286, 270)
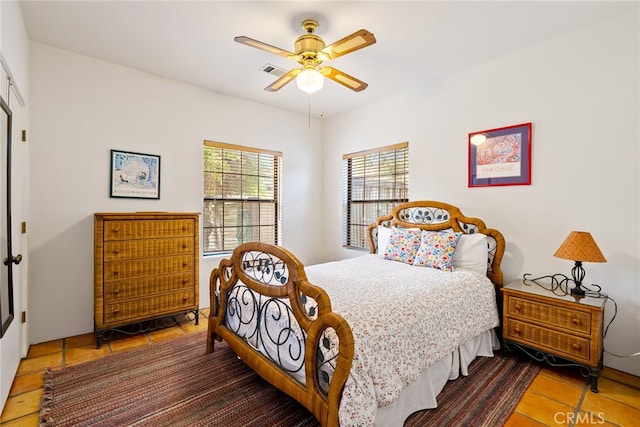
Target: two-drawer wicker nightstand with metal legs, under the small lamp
point(560, 329)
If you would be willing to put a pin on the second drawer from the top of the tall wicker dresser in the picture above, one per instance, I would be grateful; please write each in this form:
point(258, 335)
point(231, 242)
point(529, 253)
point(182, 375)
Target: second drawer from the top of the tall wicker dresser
point(130, 249)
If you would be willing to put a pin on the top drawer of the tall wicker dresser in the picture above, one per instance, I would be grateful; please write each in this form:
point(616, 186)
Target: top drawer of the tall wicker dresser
point(148, 229)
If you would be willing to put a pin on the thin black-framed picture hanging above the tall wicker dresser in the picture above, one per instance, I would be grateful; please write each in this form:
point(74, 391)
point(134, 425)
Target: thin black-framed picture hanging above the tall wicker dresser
point(135, 175)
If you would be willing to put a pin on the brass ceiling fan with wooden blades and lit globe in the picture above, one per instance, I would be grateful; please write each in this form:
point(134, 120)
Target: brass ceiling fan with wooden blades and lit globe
point(310, 52)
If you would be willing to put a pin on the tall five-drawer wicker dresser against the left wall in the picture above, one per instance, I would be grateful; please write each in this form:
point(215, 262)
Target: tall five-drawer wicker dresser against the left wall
point(145, 268)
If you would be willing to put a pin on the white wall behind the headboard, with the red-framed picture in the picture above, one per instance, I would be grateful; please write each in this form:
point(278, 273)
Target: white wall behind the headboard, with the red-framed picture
point(582, 94)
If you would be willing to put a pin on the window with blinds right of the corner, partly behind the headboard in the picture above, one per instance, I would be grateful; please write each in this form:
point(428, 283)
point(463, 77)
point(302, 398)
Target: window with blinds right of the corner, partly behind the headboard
point(375, 181)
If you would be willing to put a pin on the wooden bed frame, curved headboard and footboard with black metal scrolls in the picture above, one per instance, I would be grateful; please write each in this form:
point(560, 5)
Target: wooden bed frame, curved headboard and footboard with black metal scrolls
point(258, 265)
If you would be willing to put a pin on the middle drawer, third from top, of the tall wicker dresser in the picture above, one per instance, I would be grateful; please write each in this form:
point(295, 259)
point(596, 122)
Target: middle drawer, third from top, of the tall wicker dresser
point(117, 270)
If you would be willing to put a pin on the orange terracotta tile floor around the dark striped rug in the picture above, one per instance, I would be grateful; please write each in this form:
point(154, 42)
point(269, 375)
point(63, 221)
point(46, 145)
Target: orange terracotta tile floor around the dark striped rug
point(557, 397)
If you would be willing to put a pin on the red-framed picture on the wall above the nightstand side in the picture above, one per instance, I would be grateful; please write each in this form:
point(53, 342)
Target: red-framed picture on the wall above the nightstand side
point(500, 156)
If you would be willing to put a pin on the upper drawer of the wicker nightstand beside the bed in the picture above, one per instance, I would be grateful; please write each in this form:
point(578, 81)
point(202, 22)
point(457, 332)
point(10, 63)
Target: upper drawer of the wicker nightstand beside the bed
point(574, 320)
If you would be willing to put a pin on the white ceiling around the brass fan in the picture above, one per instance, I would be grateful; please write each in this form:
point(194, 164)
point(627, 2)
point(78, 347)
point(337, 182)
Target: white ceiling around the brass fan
point(417, 41)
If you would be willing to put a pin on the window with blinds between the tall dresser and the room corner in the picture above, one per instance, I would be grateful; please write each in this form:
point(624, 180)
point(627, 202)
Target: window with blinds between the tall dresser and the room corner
point(241, 196)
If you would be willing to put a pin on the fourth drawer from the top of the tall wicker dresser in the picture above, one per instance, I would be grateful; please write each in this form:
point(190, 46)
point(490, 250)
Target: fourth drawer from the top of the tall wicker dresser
point(120, 290)
